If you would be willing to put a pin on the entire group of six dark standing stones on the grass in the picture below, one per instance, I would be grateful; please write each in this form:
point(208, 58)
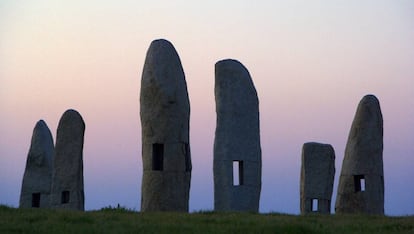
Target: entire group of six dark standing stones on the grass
point(54, 174)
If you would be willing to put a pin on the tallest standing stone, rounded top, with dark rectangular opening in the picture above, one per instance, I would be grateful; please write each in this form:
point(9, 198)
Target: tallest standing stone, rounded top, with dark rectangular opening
point(165, 116)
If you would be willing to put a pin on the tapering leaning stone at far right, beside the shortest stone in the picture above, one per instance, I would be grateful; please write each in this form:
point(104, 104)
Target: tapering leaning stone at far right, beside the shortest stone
point(361, 185)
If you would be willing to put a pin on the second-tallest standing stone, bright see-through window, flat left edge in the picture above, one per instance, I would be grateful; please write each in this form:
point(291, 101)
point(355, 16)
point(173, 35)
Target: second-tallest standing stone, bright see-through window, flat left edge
point(237, 141)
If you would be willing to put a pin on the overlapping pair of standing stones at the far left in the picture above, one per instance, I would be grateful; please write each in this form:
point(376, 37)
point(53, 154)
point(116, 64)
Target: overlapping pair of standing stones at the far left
point(53, 177)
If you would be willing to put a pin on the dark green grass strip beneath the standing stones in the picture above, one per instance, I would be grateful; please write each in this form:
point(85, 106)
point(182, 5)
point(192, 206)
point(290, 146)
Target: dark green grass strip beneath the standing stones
point(120, 220)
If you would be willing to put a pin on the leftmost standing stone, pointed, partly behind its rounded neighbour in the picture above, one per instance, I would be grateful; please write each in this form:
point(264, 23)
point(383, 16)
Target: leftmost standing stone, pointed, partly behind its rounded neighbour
point(37, 177)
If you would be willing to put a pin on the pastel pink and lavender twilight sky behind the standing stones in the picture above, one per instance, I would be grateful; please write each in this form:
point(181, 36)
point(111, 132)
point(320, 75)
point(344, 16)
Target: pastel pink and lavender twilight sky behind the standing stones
point(311, 63)
